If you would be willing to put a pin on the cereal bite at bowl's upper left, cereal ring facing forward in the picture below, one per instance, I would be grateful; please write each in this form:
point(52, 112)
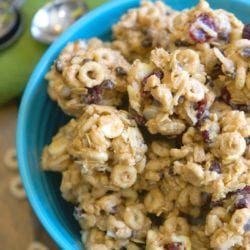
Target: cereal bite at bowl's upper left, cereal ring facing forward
point(87, 73)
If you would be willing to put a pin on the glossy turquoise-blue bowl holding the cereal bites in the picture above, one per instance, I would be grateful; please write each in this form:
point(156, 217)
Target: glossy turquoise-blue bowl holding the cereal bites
point(39, 118)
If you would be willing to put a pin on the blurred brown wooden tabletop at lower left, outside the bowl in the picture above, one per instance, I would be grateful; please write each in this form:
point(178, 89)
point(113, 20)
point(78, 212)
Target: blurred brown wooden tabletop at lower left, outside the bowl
point(19, 226)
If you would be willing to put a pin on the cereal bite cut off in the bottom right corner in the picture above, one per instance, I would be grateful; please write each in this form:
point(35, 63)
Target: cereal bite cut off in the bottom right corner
point(227, 224)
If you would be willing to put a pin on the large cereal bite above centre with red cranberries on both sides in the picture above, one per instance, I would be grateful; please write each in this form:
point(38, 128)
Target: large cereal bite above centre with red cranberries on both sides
point(169, 91)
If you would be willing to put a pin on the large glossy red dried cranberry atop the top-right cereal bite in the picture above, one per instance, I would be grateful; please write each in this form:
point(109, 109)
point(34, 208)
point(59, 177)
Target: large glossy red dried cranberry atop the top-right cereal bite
point(198, 34)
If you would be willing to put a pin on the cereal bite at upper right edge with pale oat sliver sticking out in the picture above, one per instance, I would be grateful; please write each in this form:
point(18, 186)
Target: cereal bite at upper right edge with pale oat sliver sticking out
point(234, 78)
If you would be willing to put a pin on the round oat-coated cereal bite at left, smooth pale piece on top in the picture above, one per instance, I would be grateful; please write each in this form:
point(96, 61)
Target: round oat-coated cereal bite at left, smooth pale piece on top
point(103, 139)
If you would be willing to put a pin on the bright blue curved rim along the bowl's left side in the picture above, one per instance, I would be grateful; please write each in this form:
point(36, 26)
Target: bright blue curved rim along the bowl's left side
point(33, 83)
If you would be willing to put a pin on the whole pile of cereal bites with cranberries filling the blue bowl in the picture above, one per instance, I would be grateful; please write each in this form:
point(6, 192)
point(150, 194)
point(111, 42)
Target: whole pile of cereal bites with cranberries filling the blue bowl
point(172, 170)
